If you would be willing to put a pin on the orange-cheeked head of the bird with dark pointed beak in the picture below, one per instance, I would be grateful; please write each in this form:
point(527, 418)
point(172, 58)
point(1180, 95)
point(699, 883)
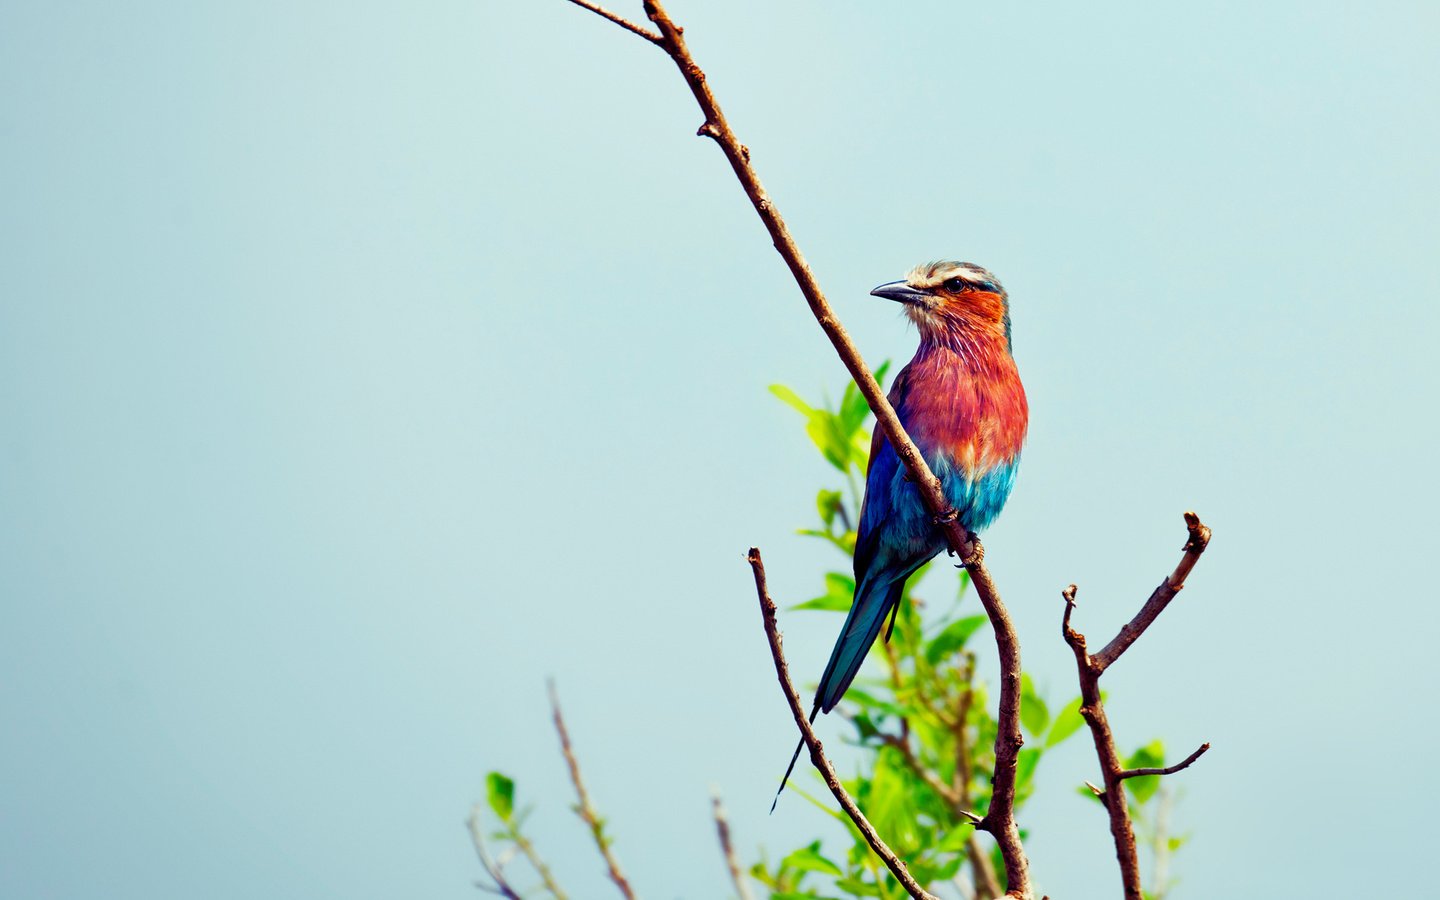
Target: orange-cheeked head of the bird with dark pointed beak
point(953, 302)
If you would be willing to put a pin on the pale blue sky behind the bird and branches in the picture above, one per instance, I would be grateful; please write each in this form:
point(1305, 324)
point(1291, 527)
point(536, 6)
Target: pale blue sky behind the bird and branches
point(362, 365)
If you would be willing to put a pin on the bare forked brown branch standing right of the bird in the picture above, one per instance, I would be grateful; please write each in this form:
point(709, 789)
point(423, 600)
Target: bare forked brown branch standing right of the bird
point(1092, 705)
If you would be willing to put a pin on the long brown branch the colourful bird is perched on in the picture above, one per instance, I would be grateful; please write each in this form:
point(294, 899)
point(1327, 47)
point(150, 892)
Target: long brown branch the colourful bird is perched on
point(1000, 822)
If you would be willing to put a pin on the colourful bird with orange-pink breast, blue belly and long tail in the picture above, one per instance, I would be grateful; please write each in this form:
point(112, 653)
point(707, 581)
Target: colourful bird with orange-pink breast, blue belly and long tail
point(963, 404)
